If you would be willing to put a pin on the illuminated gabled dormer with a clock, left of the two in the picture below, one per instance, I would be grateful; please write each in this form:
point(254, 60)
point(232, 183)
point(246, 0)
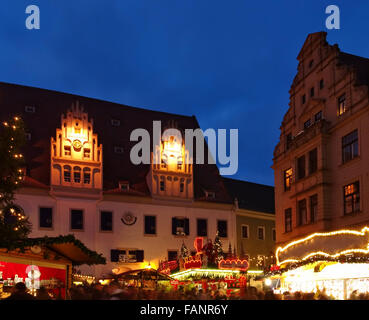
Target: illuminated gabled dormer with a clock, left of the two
point(76, 156)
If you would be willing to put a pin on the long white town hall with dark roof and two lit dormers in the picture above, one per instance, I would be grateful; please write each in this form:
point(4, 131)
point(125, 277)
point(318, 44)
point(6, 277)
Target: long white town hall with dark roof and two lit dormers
point(79, 179)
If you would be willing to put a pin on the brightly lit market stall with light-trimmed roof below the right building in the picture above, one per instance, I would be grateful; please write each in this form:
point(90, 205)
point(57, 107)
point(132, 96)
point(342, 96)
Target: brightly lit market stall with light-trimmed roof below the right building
point(335, 263)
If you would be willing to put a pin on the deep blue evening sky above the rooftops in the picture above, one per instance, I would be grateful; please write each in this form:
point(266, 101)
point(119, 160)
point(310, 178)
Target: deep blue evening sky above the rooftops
point(230, 63)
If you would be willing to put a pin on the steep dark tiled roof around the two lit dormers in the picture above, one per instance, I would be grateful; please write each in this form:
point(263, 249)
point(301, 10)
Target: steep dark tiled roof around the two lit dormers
point(42, 125)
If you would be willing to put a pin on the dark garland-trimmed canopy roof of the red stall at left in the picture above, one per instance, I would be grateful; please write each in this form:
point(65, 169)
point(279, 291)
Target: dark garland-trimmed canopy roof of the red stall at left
point(67, 246)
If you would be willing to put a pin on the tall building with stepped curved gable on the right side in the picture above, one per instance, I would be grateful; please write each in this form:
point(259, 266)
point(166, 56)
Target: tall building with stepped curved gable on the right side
point(321, 161)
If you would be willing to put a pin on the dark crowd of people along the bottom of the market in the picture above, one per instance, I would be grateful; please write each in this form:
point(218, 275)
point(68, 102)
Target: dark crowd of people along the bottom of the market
point(115, 291)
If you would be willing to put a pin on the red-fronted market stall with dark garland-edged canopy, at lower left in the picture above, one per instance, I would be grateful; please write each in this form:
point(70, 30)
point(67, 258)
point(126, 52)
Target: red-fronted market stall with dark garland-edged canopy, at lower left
point(43, 262)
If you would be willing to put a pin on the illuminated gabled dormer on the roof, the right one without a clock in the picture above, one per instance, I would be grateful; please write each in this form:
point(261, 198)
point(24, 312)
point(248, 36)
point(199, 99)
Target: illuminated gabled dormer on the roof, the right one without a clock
point(171, 169)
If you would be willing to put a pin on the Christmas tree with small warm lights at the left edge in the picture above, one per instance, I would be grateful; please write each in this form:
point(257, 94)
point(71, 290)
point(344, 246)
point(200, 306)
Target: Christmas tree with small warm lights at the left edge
point(14, 225)
